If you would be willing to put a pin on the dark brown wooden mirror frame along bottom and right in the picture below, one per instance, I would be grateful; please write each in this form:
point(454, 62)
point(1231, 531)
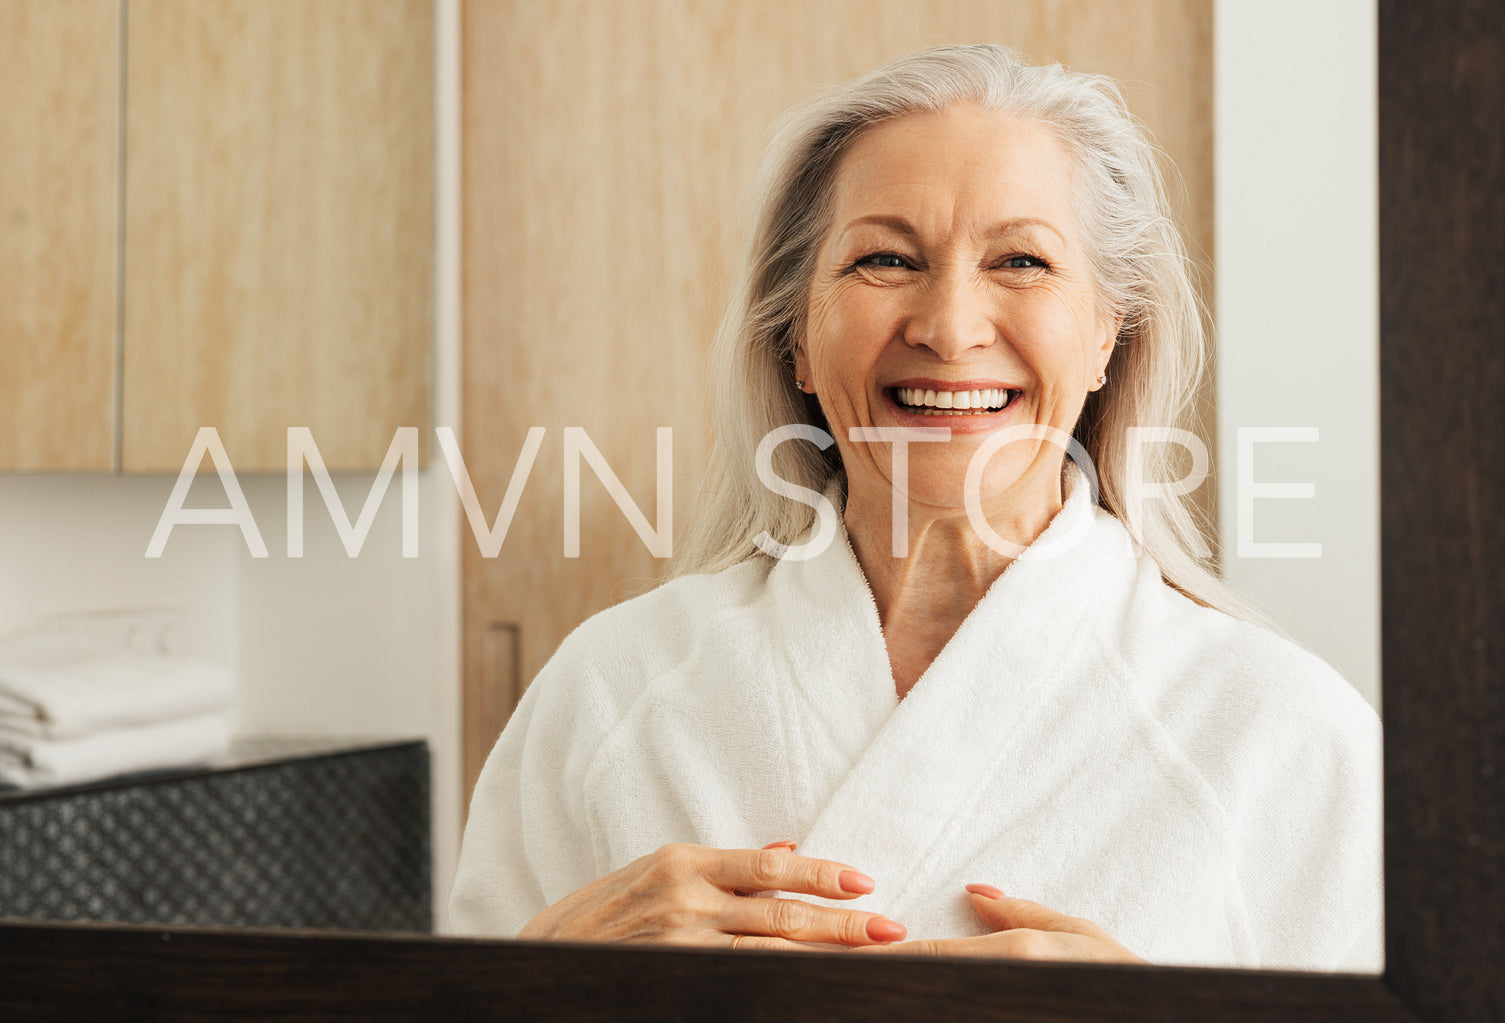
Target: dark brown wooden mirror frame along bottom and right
point(1443, 398)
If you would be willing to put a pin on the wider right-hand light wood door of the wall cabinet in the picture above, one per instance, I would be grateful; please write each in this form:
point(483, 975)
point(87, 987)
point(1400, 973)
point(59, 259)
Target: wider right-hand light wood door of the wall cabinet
point(279, 228)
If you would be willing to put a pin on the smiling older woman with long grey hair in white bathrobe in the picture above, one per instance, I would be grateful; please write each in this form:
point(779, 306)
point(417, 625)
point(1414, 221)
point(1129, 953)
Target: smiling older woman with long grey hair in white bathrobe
point(934, 687)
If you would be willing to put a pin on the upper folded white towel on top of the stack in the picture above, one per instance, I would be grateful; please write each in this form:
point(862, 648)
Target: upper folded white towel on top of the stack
point(62, 687)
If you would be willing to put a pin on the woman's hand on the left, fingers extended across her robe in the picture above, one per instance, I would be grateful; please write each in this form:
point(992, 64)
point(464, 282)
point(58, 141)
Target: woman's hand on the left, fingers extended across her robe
point(696, 896)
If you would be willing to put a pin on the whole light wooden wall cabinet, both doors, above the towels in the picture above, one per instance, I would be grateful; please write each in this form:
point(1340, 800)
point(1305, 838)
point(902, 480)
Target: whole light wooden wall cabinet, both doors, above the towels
point(243, 238)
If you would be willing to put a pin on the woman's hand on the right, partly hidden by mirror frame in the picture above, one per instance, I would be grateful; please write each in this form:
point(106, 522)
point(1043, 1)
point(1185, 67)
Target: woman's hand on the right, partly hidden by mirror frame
point(1024, 930)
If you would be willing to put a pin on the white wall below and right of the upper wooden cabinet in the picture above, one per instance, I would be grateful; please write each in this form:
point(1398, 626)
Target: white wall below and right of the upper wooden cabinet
point(323, 646)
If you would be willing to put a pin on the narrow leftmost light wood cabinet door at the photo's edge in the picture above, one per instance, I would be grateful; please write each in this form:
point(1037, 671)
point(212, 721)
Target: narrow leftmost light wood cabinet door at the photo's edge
point(59, 160)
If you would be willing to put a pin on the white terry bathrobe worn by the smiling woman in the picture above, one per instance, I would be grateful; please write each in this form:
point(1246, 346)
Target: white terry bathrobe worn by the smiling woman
point(1090, 739)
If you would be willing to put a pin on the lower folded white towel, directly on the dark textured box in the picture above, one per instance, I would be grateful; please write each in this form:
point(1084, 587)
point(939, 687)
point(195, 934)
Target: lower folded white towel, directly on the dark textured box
point(32, 762)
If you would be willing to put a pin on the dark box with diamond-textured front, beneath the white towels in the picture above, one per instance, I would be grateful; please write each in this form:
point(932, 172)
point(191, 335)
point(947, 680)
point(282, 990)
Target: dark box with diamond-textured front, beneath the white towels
point(311, 840)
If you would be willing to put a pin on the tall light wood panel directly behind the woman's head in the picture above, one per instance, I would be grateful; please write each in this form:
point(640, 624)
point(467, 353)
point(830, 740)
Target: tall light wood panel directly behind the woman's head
point(606, 151)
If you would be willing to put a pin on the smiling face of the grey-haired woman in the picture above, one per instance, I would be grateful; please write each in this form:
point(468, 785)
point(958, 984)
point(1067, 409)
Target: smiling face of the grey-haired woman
point(953, 278)
